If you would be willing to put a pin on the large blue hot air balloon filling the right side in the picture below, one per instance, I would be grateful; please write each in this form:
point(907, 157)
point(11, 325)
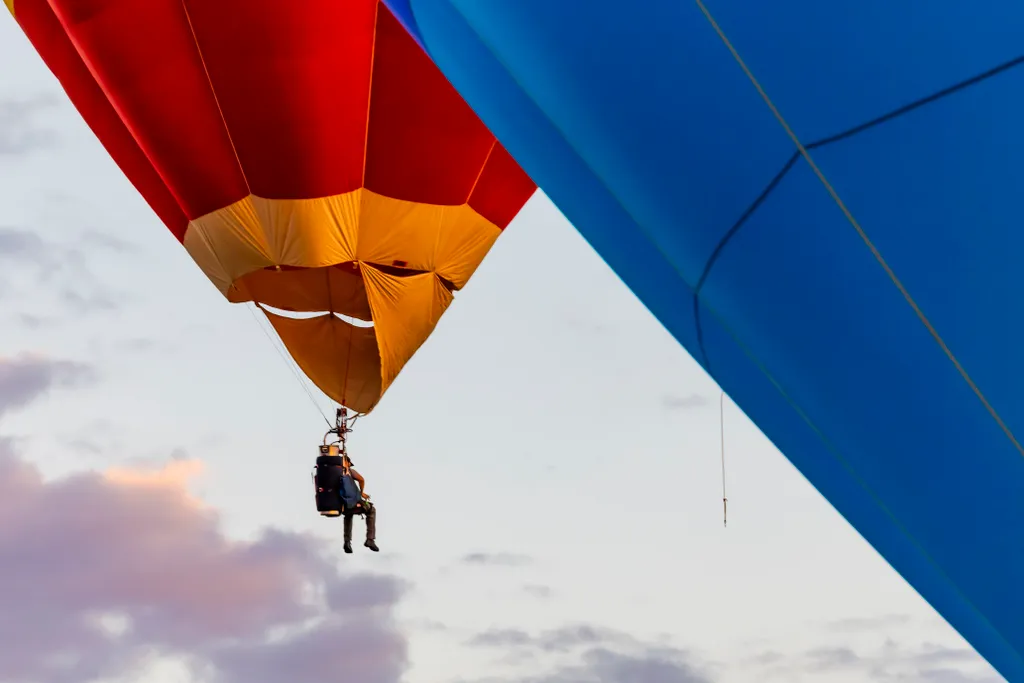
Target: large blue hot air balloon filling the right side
point(821, 201)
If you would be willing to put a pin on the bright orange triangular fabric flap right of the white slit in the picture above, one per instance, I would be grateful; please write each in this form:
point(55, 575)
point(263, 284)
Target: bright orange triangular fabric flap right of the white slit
point(406, 312)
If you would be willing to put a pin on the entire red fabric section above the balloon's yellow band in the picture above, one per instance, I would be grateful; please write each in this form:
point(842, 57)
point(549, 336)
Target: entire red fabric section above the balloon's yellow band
point(292, 80)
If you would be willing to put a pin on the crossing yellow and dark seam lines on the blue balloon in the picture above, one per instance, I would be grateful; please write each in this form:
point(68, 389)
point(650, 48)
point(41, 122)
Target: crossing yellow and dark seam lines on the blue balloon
point(804, 152)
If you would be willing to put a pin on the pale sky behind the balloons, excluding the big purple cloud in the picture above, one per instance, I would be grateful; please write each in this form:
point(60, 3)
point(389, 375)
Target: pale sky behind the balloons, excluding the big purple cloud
point(541, 426)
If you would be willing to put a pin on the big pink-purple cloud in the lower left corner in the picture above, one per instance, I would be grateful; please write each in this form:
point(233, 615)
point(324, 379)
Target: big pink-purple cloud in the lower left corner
point(103, 572)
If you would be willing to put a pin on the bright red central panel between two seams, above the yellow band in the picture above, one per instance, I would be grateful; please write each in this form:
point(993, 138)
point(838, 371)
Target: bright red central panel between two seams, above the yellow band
point(293, 80)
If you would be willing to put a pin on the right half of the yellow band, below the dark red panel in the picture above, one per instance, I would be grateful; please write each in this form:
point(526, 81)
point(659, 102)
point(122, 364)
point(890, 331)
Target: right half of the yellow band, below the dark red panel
point(448, 240)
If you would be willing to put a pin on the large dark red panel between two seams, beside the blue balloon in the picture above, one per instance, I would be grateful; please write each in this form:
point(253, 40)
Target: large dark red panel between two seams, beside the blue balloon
point(425, 144)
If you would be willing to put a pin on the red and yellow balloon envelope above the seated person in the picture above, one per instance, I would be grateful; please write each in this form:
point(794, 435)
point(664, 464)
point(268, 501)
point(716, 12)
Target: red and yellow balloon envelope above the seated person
point(309, 156)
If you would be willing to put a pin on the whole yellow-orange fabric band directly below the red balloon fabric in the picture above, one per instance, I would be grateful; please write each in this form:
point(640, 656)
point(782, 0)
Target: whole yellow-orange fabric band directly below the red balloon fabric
point(258, 233)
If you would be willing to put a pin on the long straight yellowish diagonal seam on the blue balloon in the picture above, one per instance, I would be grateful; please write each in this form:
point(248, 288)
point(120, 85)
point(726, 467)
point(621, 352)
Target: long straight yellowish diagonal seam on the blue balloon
point(864, 236)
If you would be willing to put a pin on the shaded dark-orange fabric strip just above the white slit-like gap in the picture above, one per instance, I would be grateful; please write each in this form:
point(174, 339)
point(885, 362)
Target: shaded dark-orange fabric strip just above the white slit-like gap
point(332, 288)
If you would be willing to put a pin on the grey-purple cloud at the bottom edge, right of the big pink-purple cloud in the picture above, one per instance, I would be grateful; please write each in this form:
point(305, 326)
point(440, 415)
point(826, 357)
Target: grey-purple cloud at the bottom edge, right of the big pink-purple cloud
point(585, 654)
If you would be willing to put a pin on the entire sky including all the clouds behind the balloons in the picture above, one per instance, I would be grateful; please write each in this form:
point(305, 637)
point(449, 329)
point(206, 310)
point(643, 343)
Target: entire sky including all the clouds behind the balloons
point(547, 472)
